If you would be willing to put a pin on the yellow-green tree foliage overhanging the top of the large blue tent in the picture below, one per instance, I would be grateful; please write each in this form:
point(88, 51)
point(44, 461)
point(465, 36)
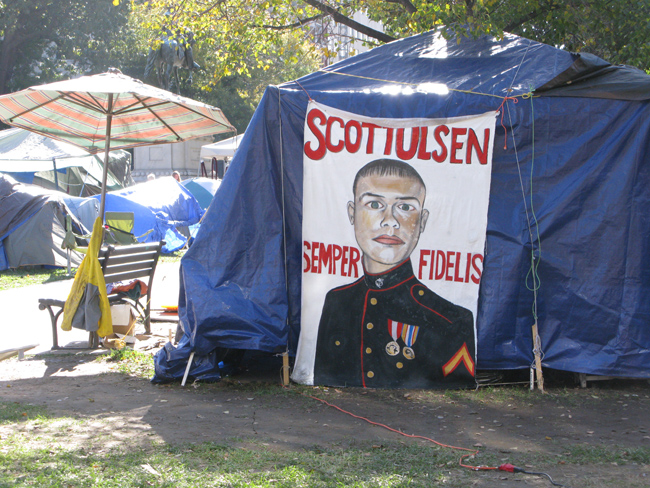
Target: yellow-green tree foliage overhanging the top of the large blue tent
point(244, 33)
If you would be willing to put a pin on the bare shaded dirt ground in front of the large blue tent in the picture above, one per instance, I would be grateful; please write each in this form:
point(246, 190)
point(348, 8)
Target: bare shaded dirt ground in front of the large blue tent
point(250, 408)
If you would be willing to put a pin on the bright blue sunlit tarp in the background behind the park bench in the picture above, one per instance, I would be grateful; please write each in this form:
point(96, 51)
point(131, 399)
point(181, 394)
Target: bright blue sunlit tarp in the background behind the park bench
point(162, 206)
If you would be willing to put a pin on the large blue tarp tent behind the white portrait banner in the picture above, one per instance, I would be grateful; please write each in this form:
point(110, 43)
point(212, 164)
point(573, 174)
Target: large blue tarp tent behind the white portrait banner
point(568, 223)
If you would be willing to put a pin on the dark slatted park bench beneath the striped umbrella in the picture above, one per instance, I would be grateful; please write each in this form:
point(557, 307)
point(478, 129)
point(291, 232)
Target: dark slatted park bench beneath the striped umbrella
point(119, 264)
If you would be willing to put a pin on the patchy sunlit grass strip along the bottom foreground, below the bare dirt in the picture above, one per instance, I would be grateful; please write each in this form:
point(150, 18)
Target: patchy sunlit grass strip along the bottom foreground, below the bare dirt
point(39, 453)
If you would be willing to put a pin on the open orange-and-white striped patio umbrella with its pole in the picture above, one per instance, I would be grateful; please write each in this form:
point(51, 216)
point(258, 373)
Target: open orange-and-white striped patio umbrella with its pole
point(110, 111)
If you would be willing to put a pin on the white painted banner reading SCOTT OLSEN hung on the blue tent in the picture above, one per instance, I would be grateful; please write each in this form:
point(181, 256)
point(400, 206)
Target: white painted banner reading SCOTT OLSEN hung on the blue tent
point(394, 221)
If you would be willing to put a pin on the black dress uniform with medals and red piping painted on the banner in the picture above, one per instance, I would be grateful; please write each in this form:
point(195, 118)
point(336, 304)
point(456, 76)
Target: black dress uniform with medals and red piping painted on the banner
point(390, 331)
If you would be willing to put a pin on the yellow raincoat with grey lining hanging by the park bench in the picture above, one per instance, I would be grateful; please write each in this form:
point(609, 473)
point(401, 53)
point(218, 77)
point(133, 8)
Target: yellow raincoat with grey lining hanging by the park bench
point(87, 306)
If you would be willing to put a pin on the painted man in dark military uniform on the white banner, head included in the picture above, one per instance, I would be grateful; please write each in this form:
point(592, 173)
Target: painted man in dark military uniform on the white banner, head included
point(387, 329)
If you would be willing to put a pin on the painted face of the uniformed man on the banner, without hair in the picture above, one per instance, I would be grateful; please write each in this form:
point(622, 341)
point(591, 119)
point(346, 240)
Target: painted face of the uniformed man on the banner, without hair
point(388, 218)
